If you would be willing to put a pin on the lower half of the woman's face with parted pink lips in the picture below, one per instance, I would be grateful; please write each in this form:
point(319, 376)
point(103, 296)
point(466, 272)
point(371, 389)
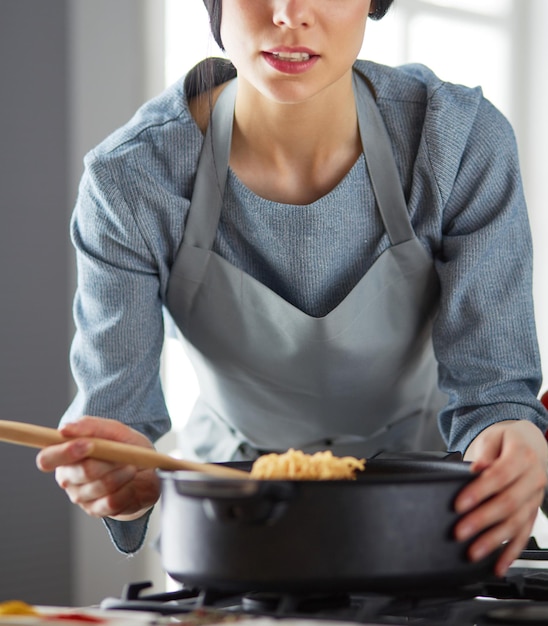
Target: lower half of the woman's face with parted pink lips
point(290, 50)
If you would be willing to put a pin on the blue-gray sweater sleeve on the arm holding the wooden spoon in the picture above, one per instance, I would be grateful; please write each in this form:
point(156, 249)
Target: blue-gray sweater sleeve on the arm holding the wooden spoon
point(115, 355)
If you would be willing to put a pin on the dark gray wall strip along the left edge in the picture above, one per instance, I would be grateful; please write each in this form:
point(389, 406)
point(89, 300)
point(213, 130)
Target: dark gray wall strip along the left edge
point(34, 380)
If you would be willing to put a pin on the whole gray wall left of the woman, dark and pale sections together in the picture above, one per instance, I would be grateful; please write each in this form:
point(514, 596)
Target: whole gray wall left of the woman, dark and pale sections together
point(70, 72)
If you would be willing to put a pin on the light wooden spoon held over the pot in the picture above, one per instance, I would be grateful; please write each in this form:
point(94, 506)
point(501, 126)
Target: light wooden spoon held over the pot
point(113, 451)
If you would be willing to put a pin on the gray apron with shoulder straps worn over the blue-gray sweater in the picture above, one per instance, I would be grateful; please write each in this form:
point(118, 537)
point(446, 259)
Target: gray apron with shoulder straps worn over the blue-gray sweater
point(360, 380)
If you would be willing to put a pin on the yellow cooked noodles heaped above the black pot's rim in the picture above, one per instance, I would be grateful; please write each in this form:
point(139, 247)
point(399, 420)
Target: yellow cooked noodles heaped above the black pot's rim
point(296, 465)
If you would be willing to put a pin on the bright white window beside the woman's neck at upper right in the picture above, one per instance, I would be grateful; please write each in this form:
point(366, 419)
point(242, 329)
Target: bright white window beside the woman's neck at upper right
point(468, 42)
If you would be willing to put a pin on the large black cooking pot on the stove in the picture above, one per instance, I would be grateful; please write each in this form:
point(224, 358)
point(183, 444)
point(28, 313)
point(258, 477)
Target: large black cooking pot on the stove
point(390, 530)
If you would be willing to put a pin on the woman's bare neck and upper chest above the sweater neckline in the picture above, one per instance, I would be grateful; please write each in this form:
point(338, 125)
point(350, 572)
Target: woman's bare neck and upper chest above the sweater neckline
point(310, 146)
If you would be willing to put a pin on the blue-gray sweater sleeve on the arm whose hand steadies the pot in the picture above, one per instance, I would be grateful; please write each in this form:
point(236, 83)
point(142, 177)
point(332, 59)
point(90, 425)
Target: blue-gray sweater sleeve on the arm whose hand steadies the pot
point(485, 336)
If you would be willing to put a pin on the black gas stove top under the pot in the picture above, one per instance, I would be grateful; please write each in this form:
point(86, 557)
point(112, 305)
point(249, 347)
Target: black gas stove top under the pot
point(521, 597)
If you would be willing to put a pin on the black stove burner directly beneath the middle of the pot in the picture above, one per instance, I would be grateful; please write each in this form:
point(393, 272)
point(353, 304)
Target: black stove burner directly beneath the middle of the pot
point(285, 603)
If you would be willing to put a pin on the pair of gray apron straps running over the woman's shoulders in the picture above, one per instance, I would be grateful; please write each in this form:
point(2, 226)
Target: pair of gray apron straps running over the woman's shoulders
point(201, 226)
